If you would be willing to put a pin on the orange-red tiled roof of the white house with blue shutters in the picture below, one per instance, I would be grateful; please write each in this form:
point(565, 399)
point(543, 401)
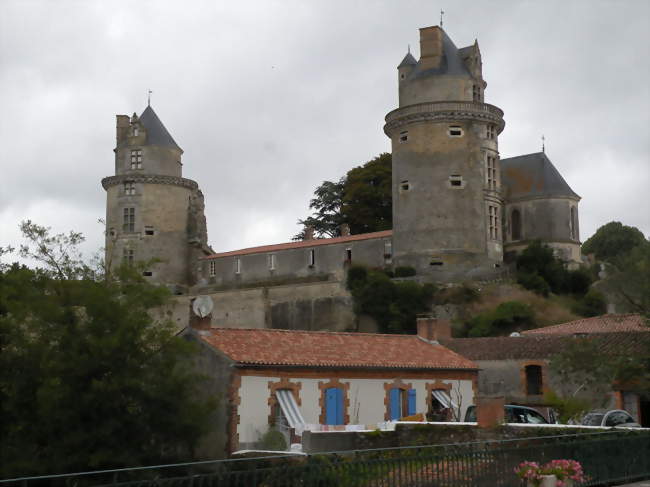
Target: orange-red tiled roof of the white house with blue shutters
point(271, 347)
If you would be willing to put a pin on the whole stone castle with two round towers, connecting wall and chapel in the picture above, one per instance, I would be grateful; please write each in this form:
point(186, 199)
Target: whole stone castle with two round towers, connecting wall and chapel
point(458, 209)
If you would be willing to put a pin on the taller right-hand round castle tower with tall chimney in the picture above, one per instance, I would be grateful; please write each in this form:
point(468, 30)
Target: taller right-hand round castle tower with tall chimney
point(447, 201)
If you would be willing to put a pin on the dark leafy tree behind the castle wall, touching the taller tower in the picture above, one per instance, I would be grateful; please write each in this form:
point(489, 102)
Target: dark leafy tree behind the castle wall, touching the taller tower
point(362, 199)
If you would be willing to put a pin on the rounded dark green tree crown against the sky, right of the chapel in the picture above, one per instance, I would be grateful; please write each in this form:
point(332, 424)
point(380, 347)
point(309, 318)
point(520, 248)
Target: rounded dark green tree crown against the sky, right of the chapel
point(613, 240)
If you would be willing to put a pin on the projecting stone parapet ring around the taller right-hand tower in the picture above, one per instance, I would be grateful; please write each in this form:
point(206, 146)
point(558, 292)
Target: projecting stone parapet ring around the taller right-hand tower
point(444, 111)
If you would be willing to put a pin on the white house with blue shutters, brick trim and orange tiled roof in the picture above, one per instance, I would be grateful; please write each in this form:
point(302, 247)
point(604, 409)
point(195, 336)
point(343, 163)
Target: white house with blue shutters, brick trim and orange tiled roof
point(294, 380)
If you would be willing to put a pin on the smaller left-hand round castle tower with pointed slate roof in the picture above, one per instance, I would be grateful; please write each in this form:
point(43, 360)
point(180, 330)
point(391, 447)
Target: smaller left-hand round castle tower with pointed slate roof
point(152, 212)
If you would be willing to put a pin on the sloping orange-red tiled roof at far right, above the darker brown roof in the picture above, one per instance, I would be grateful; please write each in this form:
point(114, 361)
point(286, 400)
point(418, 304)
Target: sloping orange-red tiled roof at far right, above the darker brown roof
point(597, 324)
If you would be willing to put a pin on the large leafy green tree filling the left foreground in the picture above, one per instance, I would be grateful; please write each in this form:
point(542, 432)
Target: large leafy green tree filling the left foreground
point(88, 379)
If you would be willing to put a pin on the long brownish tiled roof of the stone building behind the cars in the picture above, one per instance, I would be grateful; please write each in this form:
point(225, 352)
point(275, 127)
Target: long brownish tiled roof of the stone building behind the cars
point(544, 346)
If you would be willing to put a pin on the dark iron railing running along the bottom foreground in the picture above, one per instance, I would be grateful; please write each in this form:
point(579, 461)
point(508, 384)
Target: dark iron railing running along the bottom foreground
point(607, 458)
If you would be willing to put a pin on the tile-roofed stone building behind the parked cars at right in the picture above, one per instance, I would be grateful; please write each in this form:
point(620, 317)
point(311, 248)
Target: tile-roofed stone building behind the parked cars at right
point(518, 366)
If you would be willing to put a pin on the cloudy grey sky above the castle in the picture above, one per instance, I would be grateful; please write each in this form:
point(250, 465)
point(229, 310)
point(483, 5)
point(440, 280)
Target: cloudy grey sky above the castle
point(270, 98)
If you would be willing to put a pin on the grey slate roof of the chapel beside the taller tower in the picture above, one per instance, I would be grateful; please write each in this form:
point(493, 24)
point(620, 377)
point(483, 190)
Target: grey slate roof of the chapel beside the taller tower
point(533, 175)
